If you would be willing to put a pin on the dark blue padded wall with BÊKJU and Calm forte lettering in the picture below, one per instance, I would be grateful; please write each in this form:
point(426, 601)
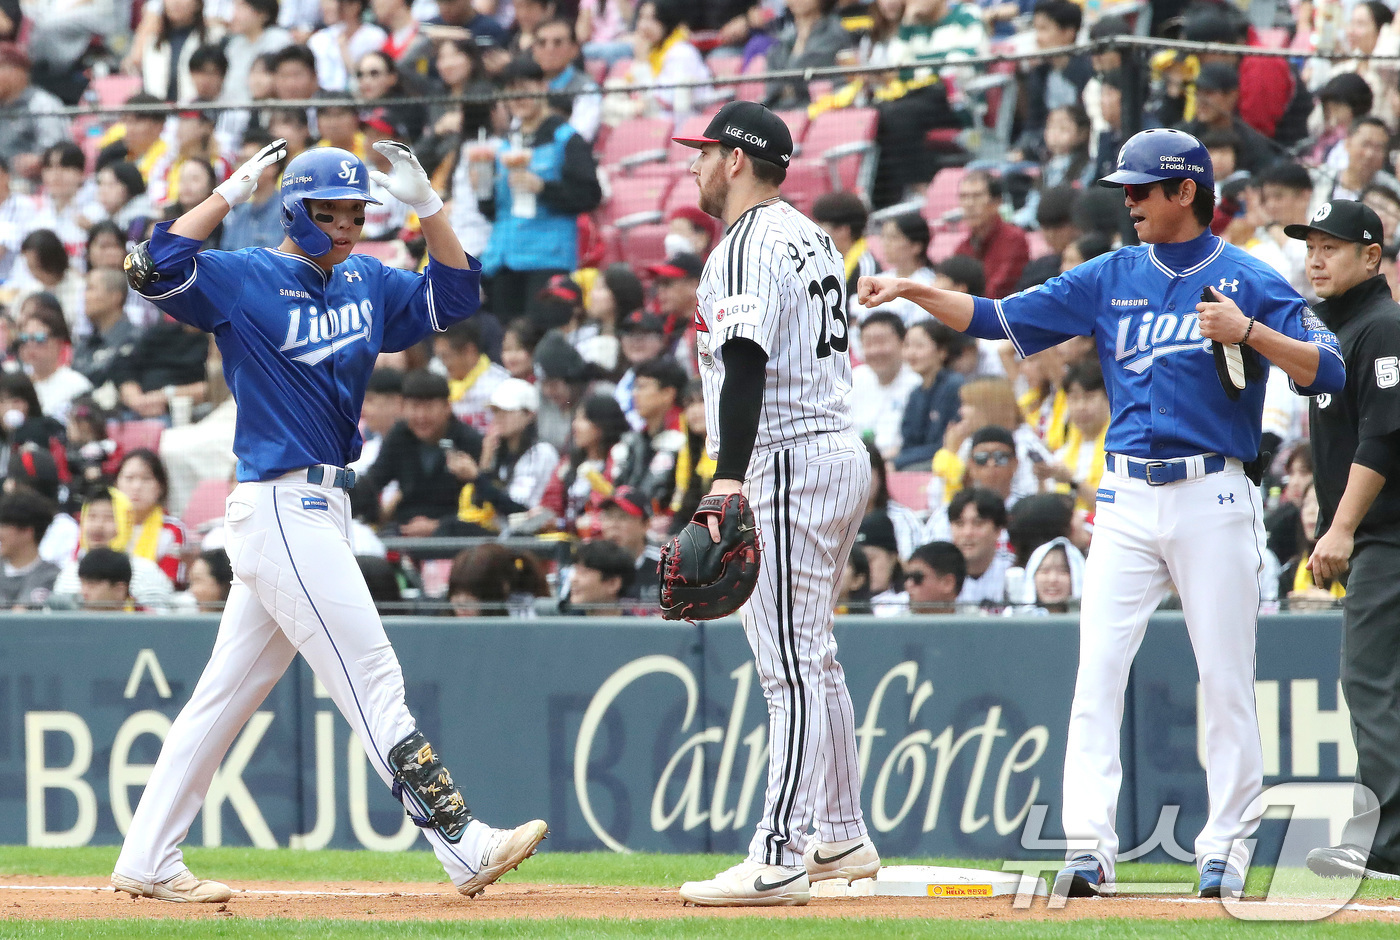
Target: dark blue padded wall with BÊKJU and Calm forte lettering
point(642, 735)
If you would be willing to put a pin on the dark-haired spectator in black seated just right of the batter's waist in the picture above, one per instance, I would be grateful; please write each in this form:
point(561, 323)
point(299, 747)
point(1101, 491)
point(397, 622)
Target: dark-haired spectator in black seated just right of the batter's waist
point(426, 455)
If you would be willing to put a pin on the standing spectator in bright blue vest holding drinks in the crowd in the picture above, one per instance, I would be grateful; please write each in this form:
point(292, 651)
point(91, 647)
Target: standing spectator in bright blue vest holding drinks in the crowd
point(541, 188)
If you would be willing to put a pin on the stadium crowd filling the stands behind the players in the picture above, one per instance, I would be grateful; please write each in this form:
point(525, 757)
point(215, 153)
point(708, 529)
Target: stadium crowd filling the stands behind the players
point(568, 417)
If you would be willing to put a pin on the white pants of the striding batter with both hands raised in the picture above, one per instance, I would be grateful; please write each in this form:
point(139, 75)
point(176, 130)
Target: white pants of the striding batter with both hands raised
point(297, 588)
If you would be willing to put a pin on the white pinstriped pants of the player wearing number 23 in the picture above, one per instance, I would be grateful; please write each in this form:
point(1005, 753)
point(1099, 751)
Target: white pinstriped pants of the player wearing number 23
point(808, 501)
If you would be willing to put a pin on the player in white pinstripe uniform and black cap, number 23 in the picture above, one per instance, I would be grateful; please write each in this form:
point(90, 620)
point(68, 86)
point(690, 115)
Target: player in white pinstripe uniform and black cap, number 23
point(772, 337)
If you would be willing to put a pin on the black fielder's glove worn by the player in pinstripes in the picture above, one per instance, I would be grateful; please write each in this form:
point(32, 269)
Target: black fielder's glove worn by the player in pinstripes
point(702, 579)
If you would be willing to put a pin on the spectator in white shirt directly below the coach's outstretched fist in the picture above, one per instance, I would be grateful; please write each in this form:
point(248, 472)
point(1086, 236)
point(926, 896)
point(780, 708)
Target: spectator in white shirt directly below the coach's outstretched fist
point(883, 385)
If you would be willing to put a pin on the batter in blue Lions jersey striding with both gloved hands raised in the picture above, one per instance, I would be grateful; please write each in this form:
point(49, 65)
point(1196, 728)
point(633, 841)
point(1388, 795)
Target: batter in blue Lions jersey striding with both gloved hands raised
point(300, 327)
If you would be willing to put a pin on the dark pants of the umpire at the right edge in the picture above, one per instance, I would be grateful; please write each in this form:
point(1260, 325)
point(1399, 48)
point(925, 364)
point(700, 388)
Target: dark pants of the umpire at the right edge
point(1371, 683)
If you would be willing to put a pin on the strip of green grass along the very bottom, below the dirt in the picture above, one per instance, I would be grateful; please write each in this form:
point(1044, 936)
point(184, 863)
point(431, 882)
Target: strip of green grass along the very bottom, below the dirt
point(696, 928)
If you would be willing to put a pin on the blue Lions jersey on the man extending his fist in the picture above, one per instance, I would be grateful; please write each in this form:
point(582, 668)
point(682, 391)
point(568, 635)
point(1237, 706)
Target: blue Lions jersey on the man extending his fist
point(1139, 303)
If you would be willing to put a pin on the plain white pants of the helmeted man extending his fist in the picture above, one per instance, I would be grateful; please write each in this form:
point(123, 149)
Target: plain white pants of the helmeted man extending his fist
point(1206, 537)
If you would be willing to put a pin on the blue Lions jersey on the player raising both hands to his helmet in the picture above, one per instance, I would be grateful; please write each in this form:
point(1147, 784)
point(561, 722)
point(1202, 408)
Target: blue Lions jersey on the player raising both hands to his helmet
point(300, 343)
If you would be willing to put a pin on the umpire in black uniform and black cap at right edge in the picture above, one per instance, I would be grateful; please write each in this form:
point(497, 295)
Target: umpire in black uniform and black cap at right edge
point(1356, 439)
